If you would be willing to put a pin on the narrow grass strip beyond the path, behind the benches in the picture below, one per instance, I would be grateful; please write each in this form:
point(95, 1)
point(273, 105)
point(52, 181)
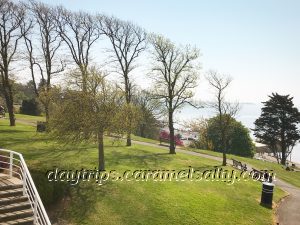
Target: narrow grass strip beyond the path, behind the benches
point(288, 176)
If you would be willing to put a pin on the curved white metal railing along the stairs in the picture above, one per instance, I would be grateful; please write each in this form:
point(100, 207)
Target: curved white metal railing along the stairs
point(13, 164)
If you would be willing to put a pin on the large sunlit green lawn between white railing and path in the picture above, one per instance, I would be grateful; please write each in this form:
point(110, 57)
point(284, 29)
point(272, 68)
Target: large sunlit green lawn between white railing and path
point(133, 202)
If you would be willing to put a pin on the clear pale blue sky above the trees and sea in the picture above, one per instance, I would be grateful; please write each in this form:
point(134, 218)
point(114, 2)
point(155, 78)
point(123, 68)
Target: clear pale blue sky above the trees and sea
point(257, 42)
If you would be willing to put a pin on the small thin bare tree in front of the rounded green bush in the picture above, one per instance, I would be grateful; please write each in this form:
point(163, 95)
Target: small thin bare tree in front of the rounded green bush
point(224, 109)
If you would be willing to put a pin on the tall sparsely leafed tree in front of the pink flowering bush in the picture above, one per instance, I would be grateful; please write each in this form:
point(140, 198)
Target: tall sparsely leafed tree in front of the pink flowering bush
point(175, 73)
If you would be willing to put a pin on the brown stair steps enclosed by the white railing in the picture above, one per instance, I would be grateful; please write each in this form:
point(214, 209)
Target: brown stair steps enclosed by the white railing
point(15, 208)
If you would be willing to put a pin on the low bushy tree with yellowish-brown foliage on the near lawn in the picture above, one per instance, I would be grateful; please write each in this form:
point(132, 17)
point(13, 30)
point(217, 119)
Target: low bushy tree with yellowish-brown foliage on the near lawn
point(79, 116)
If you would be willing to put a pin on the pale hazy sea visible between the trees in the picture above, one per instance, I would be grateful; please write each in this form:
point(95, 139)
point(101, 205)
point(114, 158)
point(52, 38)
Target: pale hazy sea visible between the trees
point(247, 114)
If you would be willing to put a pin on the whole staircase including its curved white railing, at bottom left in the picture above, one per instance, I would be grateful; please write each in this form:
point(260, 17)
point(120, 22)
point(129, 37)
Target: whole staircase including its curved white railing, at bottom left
point(20, 202)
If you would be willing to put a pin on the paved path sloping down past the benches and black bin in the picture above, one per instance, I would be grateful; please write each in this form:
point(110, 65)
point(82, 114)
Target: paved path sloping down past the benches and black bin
point(288, 212)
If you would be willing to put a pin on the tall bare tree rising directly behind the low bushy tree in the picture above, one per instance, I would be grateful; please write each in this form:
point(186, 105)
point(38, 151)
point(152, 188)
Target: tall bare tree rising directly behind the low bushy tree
point(79, 31)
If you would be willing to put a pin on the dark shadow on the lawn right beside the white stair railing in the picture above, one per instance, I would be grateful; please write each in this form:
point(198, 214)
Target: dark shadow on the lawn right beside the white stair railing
point(54, 194)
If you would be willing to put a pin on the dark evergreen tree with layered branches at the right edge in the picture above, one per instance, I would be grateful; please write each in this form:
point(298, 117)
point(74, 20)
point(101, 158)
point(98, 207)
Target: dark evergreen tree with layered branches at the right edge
point(277, 126)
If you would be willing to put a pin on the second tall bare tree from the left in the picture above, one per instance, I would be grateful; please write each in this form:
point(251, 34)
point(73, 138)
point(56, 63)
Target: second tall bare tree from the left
point(48, 61)
